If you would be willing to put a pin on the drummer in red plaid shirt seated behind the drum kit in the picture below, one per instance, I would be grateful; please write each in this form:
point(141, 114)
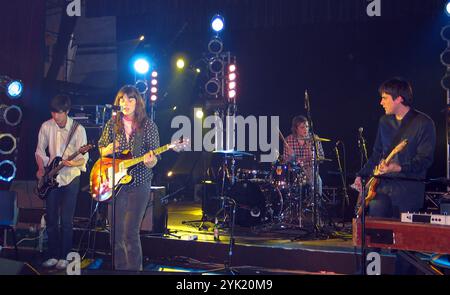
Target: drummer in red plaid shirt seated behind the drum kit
point(299, 149)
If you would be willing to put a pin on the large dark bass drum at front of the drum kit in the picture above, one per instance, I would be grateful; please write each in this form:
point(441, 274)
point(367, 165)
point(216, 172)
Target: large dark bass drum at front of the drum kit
point(256, 203)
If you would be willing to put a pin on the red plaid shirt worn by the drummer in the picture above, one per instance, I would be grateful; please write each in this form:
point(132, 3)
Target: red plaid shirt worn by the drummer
point(303, 154)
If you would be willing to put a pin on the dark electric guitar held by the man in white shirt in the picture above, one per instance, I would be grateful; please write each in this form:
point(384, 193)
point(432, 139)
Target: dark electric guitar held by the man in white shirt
point(48, 181)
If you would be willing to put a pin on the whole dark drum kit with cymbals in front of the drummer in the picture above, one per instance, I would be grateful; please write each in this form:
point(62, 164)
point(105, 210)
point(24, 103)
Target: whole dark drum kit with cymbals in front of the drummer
point(278, 196)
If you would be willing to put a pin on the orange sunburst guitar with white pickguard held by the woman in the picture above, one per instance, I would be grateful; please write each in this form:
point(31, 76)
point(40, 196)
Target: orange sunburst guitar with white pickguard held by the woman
point(101, 177)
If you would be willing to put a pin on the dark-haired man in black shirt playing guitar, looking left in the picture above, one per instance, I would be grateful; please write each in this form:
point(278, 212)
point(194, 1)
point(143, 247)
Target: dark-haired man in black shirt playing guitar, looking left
point(394, 196)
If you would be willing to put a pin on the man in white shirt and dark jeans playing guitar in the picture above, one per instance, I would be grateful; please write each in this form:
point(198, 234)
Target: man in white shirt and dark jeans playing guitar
point(63, 137)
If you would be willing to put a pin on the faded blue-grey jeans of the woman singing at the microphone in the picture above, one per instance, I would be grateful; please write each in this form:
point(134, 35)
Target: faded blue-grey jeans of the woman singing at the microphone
point(130, 206)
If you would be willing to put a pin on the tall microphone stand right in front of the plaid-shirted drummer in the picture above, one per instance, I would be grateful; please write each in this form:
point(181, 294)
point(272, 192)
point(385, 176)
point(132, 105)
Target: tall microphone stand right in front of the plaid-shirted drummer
point(315, 165)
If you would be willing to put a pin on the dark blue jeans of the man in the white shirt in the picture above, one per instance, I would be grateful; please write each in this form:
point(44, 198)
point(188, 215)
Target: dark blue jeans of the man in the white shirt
point(60, 209)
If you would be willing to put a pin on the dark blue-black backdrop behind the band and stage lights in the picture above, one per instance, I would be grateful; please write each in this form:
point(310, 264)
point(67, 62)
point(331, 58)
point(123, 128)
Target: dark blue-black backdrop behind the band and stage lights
point(331, 48)
